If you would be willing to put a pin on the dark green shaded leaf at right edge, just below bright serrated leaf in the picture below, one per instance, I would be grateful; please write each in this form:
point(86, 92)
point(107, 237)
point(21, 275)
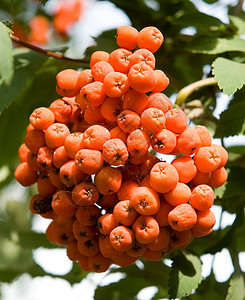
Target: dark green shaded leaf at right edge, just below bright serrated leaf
point(232, 120)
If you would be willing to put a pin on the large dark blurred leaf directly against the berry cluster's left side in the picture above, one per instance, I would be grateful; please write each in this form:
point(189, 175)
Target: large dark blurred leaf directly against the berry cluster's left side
point(39, 91)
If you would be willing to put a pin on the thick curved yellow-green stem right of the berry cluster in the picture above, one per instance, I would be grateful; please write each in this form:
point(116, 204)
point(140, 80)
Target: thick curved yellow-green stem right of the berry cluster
point(189, 89)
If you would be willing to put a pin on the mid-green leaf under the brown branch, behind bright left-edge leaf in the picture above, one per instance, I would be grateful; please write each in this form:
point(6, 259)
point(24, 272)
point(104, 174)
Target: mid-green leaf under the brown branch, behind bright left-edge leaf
point(26, 64)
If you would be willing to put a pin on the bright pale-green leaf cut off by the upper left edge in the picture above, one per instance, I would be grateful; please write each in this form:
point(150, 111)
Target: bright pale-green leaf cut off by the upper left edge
point(6, 59)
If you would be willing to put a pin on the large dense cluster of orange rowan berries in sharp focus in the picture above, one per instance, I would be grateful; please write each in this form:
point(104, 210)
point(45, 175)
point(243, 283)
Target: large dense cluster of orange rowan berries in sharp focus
point(109, 199)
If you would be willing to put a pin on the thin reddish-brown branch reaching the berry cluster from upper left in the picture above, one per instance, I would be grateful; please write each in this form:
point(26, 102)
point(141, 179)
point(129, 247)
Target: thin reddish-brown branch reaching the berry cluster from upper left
point(47, 52)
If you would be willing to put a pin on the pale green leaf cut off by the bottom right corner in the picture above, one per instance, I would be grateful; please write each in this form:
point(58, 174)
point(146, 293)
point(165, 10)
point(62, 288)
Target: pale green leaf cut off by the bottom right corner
point(236, 289)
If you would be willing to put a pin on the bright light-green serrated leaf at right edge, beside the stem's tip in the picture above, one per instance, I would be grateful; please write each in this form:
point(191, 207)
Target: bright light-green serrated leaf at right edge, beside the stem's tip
point(230, 74)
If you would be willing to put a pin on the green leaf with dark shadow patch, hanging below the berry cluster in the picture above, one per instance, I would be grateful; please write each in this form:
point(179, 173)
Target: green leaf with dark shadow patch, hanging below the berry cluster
point(185, 275)
